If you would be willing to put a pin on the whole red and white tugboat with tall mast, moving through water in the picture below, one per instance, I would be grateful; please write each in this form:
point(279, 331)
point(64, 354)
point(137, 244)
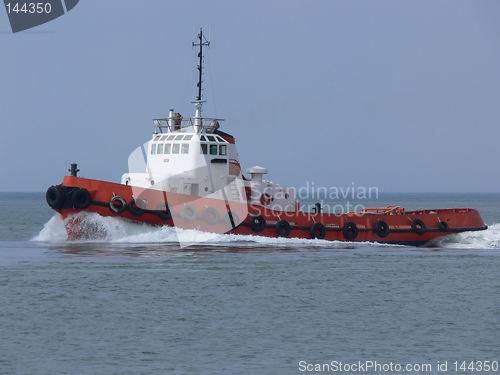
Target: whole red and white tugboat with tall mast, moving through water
point(189, 176)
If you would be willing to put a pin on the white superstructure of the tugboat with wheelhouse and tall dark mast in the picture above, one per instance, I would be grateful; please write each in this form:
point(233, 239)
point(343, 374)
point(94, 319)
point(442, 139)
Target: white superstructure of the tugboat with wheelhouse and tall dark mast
point(193, 157)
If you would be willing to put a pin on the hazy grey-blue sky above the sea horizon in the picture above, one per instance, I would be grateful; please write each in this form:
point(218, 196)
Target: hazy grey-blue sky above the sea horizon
point(403, 95)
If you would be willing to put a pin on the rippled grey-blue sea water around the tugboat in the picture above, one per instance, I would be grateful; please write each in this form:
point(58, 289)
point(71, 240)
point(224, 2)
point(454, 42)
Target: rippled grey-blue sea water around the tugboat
point(136, 303)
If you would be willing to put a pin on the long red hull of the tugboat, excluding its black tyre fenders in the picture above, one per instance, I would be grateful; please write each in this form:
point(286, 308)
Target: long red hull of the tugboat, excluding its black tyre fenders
point(399, 225)
